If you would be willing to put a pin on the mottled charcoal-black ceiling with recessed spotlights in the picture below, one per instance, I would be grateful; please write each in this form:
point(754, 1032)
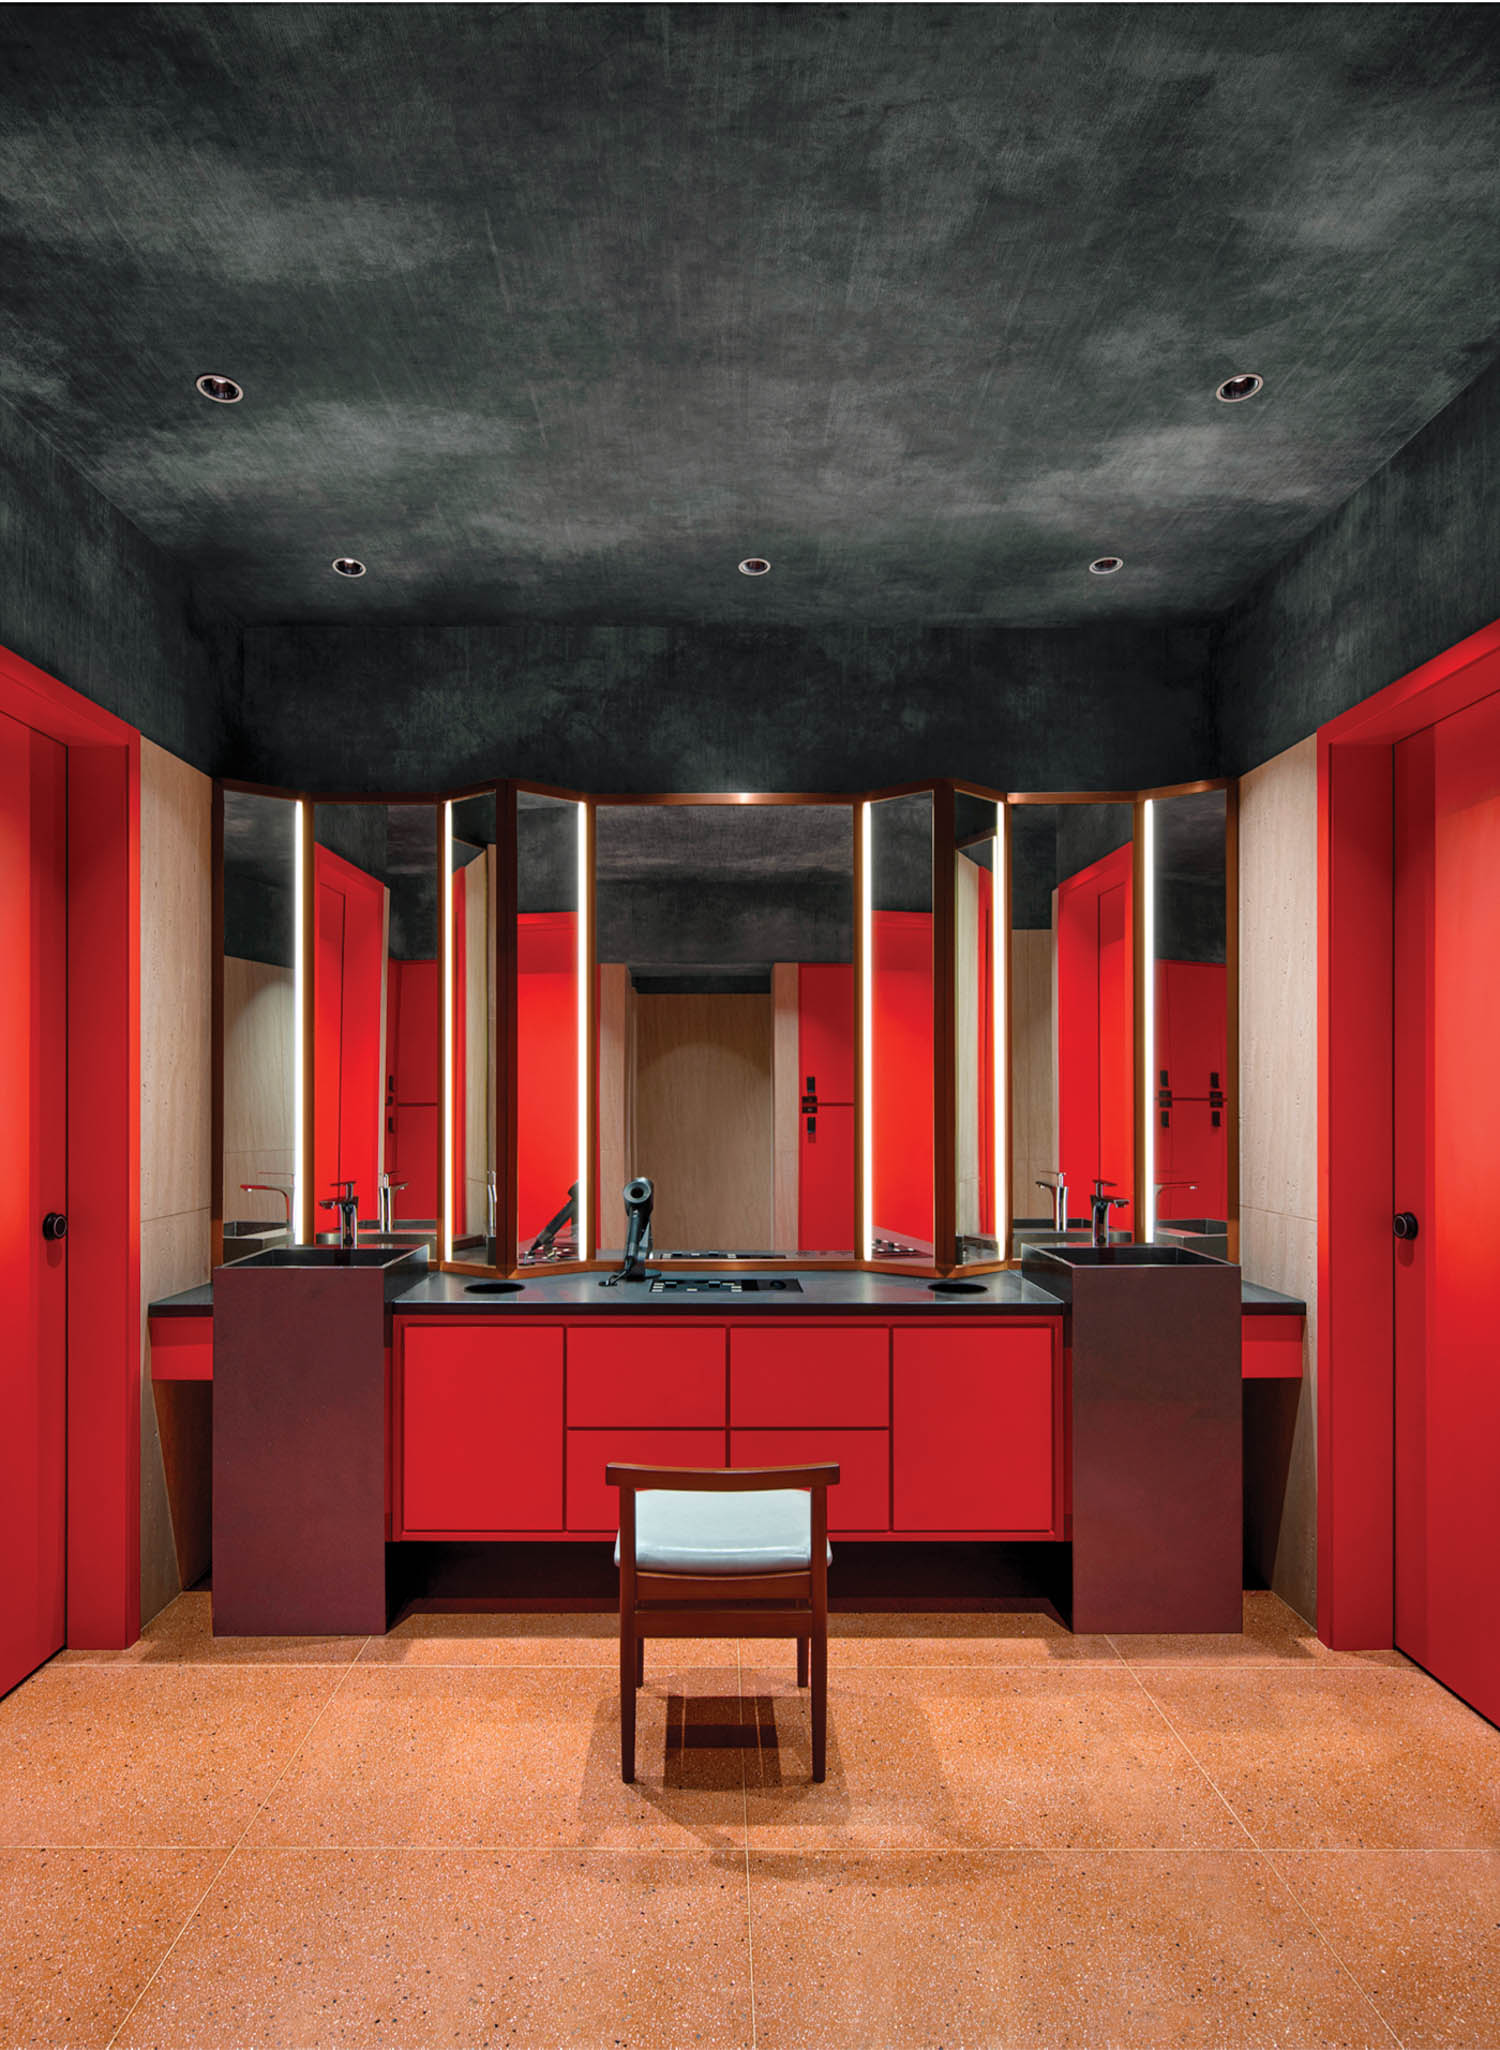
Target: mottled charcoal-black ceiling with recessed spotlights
point(562, 311)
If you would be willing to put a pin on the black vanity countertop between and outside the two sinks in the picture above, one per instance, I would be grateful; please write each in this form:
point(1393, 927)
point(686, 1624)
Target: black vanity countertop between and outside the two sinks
point(851, 1295)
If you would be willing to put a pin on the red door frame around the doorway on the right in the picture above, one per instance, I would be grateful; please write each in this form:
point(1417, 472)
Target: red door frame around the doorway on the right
point(1356, 1135)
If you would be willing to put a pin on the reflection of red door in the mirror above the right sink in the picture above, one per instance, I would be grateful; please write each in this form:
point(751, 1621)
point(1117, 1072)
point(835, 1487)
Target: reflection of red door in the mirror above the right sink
point(1095, 1032)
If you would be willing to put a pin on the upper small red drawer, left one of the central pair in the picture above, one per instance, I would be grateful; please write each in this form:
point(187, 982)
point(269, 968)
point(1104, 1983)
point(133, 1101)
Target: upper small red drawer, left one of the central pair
point(647, 1375)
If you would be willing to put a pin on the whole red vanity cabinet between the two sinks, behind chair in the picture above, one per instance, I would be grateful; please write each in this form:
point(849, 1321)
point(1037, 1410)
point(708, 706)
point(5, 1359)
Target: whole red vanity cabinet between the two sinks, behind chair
point(503, 1430)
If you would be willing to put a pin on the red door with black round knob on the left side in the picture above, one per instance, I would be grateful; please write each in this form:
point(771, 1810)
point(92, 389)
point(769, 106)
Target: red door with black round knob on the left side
point(34, 1129)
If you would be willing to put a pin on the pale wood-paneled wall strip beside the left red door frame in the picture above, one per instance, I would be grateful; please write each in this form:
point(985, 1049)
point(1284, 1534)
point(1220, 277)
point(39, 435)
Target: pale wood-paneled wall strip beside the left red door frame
point(177, 967)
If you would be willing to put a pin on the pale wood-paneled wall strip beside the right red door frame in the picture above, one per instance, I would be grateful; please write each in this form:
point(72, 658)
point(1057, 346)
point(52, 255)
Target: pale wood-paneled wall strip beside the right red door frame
point(1280, 1151)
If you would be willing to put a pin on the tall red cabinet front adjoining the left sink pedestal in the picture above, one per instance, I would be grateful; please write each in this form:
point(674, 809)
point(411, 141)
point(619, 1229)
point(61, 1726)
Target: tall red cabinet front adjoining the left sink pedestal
point(481, 1428)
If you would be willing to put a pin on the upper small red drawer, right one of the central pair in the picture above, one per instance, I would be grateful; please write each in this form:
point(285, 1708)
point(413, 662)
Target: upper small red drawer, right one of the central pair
point(810, 1375)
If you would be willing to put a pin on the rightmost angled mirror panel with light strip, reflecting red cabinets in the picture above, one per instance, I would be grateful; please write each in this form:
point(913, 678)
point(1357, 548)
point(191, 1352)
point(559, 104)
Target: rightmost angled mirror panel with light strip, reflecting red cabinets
point(1187, 1051)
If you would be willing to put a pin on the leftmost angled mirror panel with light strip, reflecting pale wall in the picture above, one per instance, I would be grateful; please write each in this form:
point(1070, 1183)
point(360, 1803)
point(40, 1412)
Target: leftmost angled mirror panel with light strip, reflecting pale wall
point(261, 1044)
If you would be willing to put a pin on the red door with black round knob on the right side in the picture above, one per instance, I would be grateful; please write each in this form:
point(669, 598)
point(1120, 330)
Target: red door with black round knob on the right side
point(1448, 1151)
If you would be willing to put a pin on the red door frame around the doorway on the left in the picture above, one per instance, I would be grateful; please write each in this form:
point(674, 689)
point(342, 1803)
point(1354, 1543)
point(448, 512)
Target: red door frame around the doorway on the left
point(103, 1151)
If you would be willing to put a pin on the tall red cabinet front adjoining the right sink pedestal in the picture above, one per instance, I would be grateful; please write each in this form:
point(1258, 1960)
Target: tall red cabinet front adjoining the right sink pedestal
point(974, 1430)
